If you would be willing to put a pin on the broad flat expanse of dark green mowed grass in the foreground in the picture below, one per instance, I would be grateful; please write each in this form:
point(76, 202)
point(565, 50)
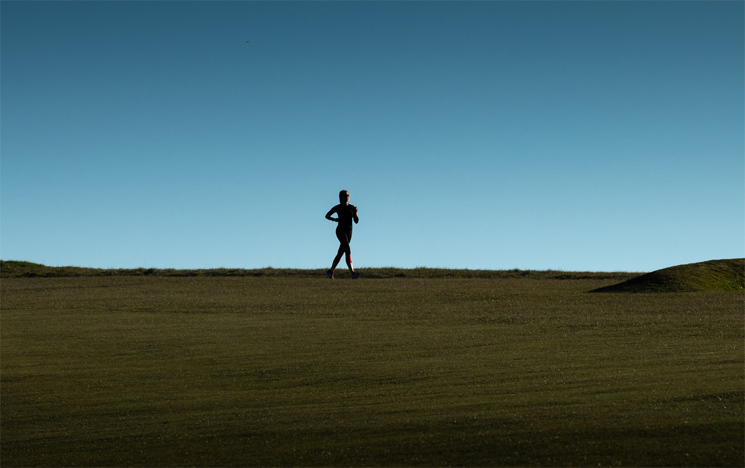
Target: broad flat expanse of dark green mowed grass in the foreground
point(298, 371)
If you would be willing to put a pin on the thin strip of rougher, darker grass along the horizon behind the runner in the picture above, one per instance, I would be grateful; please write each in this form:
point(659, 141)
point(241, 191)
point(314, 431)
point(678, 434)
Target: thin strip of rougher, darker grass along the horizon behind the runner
point(20, 269)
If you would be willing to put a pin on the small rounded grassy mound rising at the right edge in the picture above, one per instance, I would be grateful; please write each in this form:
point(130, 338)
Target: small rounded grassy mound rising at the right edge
point(714, 275)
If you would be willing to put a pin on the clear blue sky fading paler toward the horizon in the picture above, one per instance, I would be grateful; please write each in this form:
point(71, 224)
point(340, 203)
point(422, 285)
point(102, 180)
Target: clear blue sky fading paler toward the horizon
point(602, 136)
